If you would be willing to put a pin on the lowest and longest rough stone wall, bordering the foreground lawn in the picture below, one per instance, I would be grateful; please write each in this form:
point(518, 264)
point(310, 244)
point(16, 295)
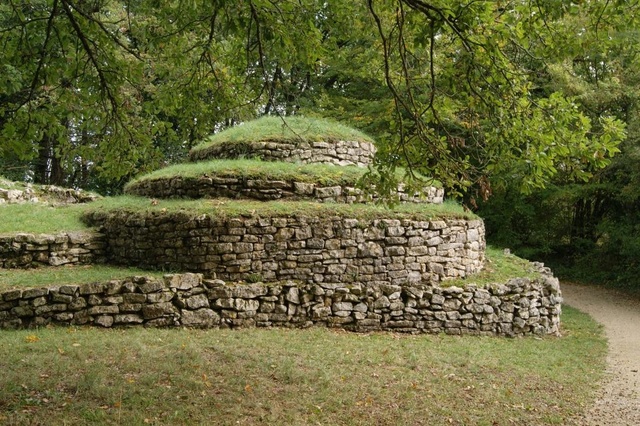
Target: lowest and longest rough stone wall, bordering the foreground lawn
point(518, 307)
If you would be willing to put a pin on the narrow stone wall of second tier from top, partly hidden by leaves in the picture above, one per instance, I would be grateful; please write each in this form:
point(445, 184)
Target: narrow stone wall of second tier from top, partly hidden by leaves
point(231, 187)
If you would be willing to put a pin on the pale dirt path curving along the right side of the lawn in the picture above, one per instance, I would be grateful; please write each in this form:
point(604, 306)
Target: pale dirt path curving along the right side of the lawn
point(618, 402)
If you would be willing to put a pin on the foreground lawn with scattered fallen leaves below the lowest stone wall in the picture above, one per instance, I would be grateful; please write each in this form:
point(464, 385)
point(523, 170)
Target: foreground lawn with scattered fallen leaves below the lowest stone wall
point(294, 377)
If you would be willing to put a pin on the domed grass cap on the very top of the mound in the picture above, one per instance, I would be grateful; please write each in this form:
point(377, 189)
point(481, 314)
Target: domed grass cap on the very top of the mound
point(287, 130)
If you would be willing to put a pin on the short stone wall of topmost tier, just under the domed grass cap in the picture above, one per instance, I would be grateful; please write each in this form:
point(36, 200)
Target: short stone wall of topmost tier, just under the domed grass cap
point(341, 153)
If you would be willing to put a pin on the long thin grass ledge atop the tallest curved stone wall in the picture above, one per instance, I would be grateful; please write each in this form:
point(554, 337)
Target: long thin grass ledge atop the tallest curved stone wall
point(222, 208)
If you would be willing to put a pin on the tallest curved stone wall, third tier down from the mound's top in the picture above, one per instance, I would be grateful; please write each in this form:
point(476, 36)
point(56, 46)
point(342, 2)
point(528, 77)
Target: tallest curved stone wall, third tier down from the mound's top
point(315, 250)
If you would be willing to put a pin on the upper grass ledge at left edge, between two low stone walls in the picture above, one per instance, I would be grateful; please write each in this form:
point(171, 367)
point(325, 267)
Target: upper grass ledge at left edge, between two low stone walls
point(37, 218)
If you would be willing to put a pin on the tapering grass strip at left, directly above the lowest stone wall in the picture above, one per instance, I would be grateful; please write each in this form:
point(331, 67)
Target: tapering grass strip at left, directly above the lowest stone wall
point(61, 275)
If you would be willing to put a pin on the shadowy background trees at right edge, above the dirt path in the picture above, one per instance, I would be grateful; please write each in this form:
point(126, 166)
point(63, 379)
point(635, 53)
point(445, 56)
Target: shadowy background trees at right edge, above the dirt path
point(586, 229)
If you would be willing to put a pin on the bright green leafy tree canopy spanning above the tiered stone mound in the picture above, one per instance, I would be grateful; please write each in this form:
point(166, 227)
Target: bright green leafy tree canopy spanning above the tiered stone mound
point(98, 92)
